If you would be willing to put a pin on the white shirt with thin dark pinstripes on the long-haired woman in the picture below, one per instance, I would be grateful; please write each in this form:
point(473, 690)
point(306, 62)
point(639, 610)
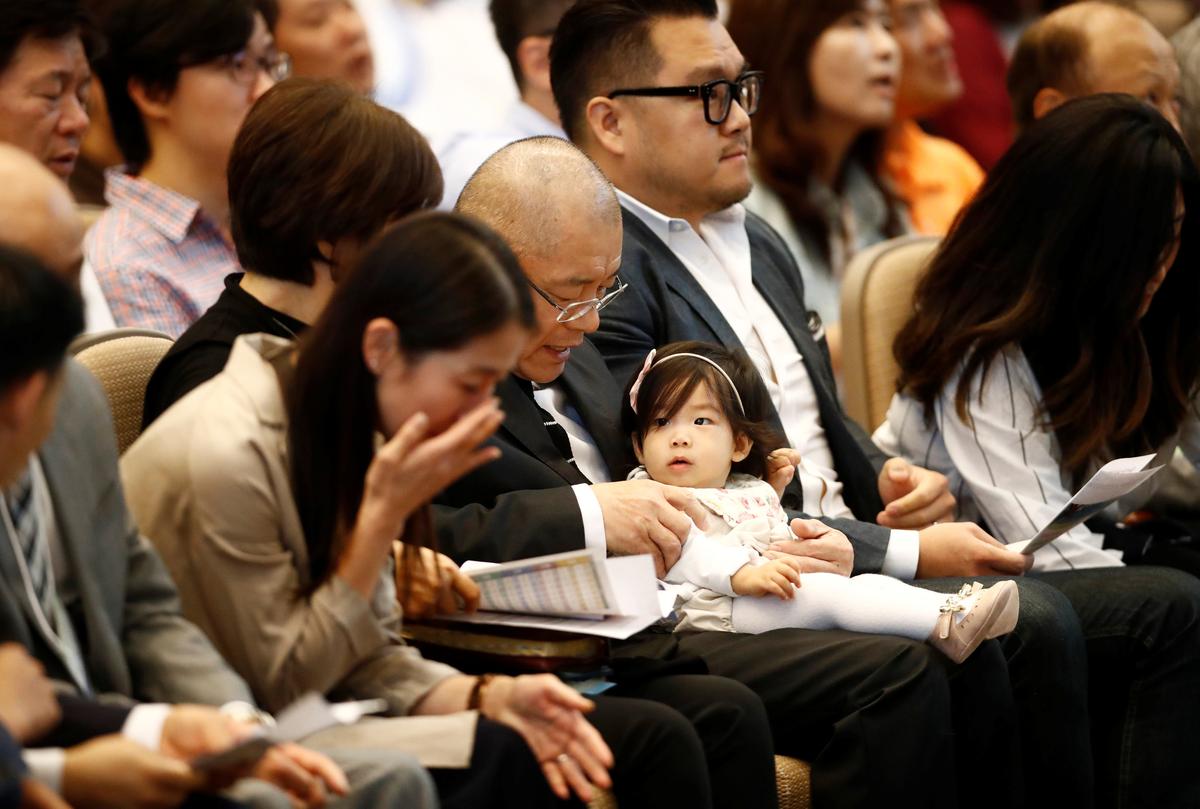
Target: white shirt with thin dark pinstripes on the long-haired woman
point(1003, 464)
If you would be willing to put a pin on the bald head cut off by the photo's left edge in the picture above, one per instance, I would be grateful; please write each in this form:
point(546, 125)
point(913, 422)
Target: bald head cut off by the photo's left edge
point(38, 214)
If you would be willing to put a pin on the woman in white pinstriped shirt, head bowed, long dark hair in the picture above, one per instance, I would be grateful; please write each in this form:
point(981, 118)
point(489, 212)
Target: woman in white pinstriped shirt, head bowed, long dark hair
point(1055, 329)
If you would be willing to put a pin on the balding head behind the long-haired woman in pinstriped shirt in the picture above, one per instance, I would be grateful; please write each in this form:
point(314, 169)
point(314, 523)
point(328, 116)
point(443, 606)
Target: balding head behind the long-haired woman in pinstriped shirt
point(1091, 47)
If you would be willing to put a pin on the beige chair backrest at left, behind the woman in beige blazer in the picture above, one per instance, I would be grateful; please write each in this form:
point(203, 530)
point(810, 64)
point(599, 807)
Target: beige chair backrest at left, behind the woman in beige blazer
point(123, 361)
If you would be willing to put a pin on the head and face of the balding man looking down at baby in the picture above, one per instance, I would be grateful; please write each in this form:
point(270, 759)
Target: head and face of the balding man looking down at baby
point(562, 219)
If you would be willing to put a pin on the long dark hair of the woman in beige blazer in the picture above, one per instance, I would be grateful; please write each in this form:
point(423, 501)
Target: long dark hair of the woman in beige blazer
point(445, 280)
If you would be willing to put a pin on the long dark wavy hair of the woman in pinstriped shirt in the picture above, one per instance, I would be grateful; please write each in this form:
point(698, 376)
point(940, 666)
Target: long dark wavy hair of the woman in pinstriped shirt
point(1055, 255)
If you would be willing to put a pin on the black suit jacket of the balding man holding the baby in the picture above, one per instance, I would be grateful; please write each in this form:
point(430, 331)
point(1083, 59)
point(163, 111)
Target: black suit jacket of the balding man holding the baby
point(521, 505)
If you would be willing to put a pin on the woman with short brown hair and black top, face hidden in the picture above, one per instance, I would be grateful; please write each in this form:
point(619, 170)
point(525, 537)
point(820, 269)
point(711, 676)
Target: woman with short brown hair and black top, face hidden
point(317, 170)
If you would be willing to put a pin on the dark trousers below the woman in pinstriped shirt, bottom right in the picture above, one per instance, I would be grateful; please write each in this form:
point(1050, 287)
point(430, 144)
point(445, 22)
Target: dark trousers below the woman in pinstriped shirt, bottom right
point(1106, 674)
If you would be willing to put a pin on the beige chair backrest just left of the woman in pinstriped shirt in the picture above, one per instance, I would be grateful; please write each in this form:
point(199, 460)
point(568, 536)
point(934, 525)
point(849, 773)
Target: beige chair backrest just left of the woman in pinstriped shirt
point(877, 301)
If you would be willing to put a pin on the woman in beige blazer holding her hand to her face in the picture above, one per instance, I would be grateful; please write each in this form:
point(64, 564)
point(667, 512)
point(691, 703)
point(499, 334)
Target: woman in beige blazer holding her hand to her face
point(280, 493)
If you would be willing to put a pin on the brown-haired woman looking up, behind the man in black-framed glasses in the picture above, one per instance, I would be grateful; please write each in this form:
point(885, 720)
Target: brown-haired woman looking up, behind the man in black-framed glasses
point(832, 70)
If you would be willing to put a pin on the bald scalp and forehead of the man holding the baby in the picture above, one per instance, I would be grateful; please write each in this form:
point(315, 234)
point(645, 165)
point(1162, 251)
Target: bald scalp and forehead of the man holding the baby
point(535, 193)
